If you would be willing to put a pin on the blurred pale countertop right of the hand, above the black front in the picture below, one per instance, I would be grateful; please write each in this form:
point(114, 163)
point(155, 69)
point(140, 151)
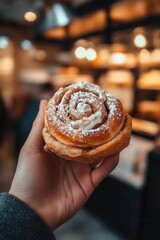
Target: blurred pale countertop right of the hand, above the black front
point(133, 161)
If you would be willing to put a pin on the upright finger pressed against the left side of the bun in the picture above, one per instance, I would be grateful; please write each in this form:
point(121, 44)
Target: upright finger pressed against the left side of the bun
point(35, 138)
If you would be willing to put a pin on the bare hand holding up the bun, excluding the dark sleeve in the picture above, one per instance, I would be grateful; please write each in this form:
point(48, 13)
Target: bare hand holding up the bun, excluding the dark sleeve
point(55, 188)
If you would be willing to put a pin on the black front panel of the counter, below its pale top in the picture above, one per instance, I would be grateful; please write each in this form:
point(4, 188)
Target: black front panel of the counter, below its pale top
point(118, 204)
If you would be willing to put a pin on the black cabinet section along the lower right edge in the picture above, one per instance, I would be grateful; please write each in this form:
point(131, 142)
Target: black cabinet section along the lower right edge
point(151, 200)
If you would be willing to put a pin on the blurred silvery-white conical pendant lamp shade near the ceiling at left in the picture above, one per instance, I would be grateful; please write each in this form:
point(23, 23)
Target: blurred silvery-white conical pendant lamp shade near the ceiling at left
point(58, 15)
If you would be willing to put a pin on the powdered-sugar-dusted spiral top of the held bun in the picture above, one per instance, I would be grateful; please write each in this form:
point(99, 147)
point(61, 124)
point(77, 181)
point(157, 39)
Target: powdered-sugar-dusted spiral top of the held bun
point(82, 109)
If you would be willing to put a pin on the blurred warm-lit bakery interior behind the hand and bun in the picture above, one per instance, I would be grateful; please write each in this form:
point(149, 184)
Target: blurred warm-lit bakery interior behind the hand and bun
point(113, 43)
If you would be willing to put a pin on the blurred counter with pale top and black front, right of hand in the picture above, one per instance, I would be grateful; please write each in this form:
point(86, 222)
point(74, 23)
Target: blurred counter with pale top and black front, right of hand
point(120, 201)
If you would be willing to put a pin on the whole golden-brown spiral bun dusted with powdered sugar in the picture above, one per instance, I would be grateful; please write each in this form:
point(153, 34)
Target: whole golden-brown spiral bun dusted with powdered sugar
point(85, 124)
